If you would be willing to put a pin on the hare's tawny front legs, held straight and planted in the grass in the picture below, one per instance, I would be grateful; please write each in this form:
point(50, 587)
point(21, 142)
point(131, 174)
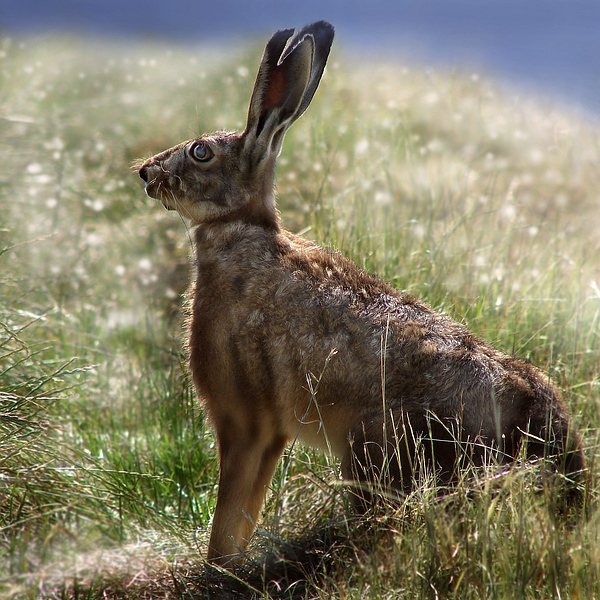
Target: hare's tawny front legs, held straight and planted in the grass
point(247, 463)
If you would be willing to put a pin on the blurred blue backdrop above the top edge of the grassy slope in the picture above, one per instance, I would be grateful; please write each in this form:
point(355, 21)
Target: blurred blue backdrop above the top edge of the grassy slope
point(546, 47)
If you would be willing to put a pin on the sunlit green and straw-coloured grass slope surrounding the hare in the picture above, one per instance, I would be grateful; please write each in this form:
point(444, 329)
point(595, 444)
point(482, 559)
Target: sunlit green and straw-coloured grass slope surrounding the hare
point(482, 204)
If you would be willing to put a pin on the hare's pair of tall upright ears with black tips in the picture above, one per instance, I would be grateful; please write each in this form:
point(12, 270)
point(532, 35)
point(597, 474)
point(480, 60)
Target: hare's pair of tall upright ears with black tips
point(287, 79)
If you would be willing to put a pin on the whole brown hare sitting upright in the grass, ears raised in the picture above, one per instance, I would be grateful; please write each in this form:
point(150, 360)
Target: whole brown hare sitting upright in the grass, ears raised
point(289, 340)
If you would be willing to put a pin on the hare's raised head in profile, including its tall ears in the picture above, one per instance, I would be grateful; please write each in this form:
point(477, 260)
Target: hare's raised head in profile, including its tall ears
point(225, 176)
